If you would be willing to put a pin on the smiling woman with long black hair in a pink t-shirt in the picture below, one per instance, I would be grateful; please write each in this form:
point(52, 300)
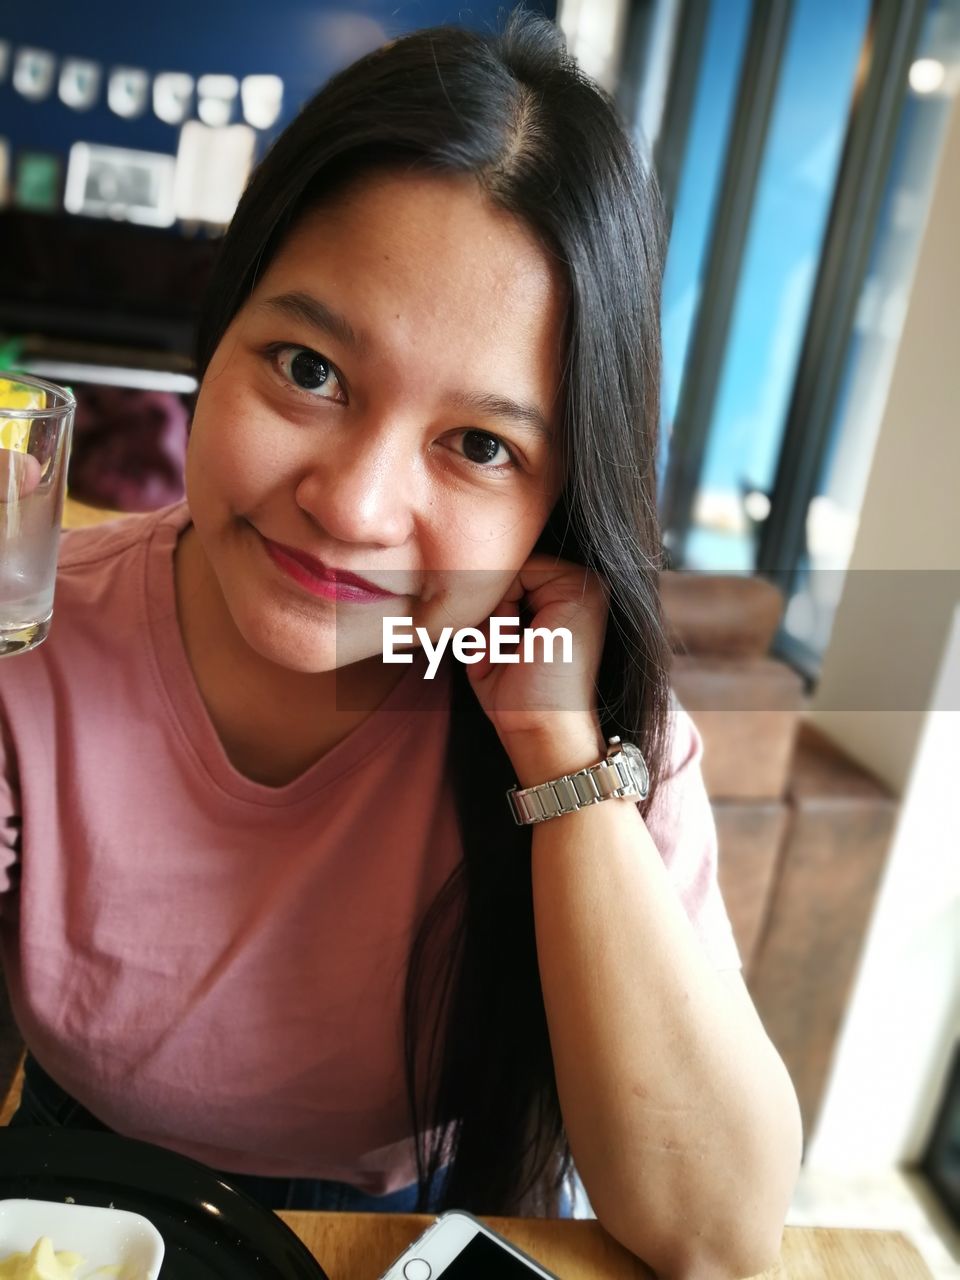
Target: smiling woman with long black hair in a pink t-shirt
point(431, 368)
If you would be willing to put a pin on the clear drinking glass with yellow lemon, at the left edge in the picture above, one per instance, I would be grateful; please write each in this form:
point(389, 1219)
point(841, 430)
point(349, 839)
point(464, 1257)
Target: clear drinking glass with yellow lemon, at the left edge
point(36, 424)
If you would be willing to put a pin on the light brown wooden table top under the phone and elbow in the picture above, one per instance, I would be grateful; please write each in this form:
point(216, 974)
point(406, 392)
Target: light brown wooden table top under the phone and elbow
point(362, 1247)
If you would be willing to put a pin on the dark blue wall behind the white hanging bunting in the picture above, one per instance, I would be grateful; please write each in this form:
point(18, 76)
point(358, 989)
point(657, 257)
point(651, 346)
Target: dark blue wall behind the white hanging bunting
point(304, 42)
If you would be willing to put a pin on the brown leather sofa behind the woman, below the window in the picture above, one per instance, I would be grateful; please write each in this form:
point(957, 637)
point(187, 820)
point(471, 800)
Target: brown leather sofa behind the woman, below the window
point(803, 830)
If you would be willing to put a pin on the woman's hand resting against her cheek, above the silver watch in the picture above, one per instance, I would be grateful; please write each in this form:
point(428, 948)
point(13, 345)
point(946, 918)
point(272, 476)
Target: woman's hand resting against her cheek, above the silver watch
point(540, 700)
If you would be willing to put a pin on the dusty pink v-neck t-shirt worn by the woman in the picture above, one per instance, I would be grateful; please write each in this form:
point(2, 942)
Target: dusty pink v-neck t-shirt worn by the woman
point(209, 963)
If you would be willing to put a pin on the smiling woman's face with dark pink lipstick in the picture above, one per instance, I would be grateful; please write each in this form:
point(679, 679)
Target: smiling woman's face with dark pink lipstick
point(387, 405)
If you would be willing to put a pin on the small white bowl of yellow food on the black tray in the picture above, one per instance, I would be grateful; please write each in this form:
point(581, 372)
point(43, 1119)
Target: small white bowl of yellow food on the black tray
point(103, 1237)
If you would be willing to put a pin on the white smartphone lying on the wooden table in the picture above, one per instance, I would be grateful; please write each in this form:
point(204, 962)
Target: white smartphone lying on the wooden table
point(459, 1247)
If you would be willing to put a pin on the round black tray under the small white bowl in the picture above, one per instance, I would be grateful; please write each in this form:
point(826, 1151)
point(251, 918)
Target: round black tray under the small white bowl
point(209, 1228)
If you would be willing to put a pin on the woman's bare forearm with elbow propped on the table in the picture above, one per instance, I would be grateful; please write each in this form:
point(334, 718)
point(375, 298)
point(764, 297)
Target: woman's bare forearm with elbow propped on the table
point(682, 1117)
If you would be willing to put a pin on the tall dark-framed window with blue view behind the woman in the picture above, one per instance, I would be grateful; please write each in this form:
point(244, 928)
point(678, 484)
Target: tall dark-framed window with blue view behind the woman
point(802, 168)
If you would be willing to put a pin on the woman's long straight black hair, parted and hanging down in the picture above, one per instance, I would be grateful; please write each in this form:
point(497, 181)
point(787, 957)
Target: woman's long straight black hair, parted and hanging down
point(546, 145)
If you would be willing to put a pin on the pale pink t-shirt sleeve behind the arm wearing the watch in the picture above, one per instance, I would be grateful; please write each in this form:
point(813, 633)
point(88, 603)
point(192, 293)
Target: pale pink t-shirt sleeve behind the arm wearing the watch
point(684, 830)
